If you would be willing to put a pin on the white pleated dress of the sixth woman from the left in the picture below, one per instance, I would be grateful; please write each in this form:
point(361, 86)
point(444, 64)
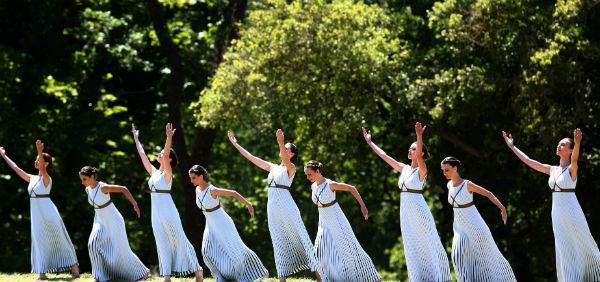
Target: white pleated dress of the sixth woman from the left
point(340, 256)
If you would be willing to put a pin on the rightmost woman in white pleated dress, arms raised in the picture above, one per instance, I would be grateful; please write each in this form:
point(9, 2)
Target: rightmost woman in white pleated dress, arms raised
point(577, 255)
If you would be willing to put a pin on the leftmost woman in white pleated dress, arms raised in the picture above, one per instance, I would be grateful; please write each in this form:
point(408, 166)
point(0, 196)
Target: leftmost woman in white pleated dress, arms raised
point(51, 247)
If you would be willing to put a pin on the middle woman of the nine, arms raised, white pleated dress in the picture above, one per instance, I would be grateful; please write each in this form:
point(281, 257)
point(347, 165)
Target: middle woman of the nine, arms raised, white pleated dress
point(291, 244)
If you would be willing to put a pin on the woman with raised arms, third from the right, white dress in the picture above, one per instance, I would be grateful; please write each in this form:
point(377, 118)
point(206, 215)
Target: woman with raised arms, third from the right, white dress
point(426, 259)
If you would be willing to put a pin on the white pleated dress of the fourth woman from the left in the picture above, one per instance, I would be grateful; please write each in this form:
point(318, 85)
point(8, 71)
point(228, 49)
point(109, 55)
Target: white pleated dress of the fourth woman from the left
point(224, 252)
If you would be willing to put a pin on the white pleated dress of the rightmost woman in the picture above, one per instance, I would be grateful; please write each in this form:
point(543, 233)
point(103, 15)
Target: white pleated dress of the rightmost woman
point(577, 255)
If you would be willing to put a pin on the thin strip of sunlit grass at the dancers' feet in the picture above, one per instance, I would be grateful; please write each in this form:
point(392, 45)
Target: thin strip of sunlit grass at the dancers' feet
point(21, 277)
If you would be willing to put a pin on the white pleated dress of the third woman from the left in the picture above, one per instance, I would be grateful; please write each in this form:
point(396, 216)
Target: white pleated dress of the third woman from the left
point(176, 254)
